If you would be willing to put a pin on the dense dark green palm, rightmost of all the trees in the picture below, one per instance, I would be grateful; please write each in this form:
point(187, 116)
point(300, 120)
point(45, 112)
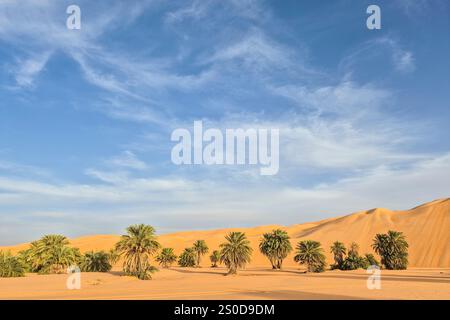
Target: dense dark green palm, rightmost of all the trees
point(393, 249)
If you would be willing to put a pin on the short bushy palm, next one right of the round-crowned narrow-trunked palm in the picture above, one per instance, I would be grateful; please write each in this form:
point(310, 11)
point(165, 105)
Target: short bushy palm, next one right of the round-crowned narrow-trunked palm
point(310, 253)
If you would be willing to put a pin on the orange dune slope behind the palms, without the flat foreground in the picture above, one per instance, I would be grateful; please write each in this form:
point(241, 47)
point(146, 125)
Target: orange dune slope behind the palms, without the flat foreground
point(426, 228)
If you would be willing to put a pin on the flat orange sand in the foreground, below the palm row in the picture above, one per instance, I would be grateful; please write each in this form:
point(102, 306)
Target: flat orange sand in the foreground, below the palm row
point(253, 283)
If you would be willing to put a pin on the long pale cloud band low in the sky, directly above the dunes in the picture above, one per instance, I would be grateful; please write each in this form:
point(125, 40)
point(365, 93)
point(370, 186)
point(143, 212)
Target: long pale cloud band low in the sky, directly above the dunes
point(188, 202)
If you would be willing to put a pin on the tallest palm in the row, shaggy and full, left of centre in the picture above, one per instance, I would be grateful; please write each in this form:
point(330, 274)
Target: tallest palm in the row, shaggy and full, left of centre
point(137, 246)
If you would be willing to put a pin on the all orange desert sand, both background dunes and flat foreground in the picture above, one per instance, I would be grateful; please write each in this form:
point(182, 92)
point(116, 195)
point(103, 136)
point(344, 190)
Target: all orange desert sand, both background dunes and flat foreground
point(426, 228)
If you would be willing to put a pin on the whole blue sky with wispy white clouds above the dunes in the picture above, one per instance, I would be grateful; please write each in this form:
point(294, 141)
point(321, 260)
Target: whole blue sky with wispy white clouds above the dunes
point(86, 115)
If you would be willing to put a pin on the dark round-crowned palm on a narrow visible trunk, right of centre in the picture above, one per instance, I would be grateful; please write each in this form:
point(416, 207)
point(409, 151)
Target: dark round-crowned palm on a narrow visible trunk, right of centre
point(276, 247)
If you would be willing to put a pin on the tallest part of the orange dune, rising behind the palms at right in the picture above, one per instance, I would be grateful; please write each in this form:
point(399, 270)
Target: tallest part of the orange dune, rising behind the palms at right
point(426, 228)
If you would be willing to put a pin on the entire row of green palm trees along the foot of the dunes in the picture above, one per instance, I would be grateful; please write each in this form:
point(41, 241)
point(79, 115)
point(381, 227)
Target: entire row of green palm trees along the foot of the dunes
point(52, 254)
